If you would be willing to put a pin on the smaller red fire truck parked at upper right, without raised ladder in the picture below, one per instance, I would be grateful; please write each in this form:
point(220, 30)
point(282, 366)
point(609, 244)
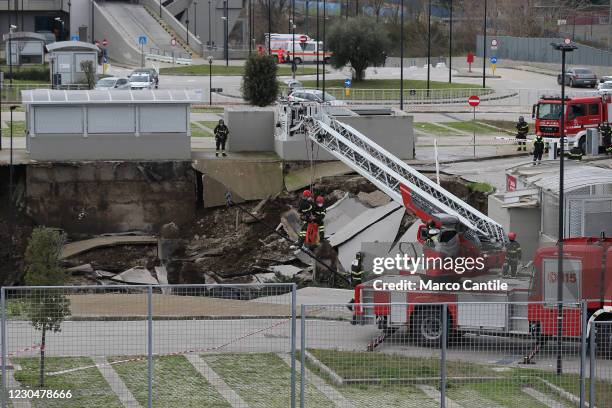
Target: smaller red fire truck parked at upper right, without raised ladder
point(581, 113)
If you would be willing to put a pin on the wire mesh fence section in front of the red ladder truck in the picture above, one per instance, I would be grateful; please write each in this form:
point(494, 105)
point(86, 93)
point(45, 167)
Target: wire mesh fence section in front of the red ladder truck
point(494, 355)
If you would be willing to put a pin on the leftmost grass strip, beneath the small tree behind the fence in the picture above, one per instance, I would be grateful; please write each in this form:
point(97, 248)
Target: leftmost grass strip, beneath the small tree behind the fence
point(88, 387)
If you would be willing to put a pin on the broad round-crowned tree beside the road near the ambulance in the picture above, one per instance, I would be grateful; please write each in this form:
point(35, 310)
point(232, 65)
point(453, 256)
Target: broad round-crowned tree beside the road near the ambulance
point(360, 42)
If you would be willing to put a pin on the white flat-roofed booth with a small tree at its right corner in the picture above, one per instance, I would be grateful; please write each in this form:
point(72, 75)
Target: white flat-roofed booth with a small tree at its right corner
point(65, 61)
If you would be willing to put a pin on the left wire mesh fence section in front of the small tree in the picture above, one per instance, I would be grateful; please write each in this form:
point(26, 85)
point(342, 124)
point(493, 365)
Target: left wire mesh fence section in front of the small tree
point(149, 346)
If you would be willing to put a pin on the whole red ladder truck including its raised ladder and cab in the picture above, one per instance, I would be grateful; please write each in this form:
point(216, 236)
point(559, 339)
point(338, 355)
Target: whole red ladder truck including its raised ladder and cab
point(462, 231)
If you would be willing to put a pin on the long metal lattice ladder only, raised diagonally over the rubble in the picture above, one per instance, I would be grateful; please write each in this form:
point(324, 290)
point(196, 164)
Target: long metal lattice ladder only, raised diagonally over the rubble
point(389, 173)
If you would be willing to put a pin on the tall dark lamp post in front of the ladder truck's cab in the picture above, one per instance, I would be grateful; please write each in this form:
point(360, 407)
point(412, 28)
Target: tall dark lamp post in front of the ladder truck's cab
point(564, 47)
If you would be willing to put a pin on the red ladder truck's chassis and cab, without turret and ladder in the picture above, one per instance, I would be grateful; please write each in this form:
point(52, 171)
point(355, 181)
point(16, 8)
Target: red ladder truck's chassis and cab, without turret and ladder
point(483, 305)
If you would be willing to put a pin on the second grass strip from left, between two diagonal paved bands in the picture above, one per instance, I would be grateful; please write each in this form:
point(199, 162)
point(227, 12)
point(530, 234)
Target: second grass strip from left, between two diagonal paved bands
point(176, 383)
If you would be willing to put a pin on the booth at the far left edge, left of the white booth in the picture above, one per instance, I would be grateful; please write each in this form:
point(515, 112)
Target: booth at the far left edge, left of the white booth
point(26, 48)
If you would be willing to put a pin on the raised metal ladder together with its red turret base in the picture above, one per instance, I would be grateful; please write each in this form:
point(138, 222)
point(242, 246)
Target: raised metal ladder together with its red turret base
point(465, 230)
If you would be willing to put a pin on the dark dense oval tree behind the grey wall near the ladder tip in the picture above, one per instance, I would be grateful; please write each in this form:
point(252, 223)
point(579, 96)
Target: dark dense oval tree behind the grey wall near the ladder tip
point(259, 84)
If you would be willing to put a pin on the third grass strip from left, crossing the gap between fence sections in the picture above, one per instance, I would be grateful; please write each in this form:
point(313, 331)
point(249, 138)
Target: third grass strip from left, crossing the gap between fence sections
point(261, 379)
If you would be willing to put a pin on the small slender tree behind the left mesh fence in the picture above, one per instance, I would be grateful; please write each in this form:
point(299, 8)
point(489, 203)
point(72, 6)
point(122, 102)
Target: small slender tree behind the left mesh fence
point(47, 308)
